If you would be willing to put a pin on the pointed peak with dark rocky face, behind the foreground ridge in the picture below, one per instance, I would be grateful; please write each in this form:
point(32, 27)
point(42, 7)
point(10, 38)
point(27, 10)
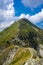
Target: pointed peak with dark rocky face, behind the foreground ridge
point(25, 31)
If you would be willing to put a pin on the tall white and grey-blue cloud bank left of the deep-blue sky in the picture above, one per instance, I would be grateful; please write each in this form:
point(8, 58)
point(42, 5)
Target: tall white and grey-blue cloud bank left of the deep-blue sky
point(7, 13)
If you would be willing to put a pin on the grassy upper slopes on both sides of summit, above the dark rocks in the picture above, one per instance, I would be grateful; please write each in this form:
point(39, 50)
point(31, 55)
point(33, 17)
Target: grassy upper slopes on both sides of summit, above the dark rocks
point(23, 26)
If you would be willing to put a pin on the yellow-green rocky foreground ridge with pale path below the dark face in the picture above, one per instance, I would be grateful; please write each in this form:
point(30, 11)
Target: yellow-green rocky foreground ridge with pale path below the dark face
point(14, 55)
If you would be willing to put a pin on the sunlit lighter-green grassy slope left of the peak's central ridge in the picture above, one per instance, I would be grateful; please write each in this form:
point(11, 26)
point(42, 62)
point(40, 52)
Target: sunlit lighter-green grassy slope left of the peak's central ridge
point(8, 33)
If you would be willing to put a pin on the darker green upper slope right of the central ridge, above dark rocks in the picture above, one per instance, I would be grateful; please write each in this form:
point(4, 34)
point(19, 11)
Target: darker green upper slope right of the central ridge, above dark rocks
point(26, 27)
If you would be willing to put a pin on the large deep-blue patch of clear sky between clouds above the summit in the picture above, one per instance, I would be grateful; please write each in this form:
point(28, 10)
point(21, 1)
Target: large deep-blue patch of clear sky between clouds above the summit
point(21, 8)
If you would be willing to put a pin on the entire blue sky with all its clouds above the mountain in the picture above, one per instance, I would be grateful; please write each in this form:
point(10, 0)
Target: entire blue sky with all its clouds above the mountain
point(12, 10)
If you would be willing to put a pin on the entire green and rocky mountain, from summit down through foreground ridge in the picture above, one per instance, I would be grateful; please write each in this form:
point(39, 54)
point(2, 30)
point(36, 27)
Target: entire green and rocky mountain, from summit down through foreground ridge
point(20, 44)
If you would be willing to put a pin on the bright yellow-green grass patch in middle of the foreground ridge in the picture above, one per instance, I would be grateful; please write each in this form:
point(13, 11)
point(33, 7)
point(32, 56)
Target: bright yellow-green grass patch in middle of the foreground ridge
point(22, 55)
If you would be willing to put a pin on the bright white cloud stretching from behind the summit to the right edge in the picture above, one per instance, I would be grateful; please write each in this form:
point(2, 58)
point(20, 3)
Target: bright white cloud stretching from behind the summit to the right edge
point(34, 18)
